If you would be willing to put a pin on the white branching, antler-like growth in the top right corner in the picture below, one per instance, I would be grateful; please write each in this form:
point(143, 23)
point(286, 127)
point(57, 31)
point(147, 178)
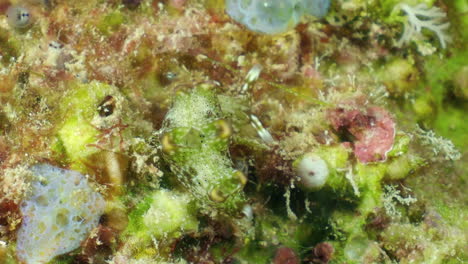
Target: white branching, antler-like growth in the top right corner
point(420, 17)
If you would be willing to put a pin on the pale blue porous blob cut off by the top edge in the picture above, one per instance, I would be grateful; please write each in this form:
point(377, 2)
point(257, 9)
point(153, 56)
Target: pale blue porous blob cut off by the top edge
point(274, 16)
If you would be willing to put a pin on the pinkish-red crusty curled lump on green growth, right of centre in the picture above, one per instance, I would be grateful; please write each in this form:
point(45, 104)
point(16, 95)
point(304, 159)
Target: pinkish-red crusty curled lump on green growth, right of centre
point(372, 129)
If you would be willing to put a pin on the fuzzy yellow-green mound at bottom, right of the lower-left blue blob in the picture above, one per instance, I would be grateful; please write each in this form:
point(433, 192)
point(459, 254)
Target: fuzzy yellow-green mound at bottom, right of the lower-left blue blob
point(161, 217)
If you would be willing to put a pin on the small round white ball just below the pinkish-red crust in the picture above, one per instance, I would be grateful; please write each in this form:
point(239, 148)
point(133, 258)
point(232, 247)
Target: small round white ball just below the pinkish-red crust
point(313, 171)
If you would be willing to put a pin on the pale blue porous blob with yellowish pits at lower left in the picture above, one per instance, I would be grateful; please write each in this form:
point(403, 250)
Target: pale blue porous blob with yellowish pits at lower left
point(58, 214)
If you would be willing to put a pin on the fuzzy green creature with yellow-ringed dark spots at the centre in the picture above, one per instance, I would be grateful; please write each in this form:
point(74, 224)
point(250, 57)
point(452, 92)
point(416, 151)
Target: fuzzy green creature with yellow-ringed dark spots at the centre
point(195, 141)
